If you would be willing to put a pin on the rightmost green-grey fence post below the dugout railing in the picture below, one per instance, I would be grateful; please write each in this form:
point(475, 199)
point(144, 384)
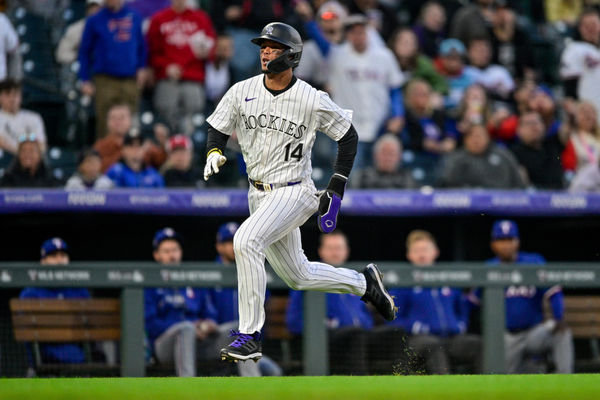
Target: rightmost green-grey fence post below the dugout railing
point(493, 324)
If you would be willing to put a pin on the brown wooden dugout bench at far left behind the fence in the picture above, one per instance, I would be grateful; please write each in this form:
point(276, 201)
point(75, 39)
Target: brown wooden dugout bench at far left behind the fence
point(83, 321)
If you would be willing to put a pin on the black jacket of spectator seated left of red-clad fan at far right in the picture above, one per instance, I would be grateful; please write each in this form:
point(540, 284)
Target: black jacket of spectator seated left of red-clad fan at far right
point(542, 163)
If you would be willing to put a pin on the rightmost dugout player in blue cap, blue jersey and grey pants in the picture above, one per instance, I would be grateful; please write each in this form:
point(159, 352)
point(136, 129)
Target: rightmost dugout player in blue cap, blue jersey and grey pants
point(529, 335)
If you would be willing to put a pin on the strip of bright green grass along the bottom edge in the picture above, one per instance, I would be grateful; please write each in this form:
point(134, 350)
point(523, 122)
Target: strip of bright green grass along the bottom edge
point(485, 387)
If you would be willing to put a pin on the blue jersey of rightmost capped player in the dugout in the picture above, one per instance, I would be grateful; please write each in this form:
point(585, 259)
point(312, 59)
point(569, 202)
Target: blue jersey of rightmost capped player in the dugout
point(524, 304)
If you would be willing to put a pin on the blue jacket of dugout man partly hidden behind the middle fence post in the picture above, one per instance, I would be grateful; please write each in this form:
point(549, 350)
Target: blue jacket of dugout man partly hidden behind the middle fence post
point(342, 310)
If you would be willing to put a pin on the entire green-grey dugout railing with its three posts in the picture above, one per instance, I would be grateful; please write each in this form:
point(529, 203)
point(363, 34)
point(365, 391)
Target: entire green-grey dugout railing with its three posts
point(132, 278)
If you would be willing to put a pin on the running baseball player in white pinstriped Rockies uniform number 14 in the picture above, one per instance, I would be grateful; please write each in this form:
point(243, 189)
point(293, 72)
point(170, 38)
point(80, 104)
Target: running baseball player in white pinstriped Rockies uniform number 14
point(276, 116)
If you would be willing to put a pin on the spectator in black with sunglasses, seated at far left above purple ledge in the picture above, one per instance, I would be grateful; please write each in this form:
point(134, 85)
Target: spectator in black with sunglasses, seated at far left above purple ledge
point(28, 169)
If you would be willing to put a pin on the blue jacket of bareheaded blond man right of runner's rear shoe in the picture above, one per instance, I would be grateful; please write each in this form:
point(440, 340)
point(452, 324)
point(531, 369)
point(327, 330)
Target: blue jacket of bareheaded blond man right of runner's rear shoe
point(436, 311)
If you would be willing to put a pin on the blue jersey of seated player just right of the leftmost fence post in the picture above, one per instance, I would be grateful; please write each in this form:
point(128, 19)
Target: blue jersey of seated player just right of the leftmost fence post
point(165, 307)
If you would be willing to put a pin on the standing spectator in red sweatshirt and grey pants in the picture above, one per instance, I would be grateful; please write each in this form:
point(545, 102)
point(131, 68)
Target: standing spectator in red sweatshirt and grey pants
point(180, 40)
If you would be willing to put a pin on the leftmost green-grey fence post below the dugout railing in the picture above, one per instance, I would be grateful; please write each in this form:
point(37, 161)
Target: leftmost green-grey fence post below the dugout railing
point(132, 332)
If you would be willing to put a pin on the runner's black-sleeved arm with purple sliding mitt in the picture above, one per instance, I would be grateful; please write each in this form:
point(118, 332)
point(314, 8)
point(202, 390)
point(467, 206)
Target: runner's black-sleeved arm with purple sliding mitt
point(331, 199)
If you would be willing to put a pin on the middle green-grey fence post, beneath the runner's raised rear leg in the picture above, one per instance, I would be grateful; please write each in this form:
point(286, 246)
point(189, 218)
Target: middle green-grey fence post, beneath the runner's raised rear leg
point(315, 351)
